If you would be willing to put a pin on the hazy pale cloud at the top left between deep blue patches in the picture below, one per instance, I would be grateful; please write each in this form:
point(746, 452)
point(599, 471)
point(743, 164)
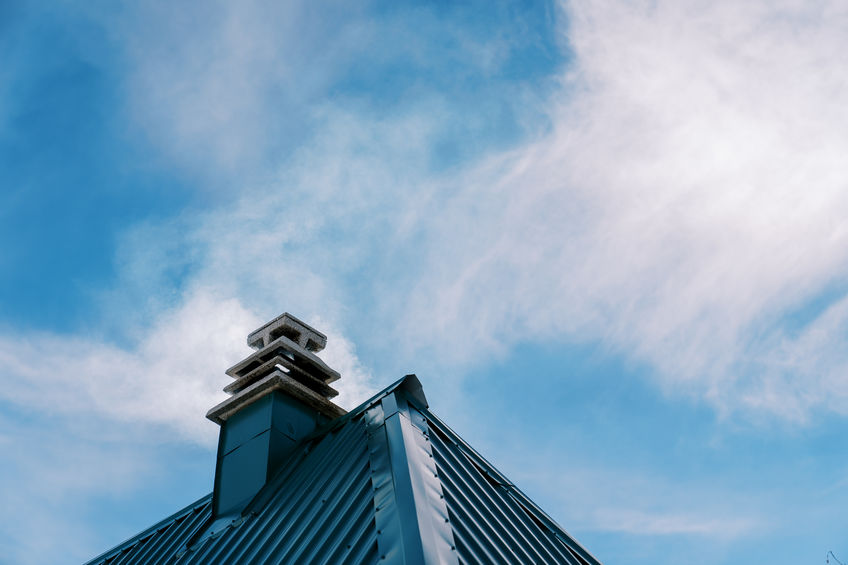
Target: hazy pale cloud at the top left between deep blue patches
point(225, 83)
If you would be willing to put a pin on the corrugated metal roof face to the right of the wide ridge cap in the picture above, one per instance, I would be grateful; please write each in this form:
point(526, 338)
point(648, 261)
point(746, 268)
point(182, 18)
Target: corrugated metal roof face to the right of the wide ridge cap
point(492, 521)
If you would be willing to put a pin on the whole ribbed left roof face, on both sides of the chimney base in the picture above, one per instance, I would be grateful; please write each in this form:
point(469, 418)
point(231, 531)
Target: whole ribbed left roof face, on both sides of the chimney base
point(319, 509)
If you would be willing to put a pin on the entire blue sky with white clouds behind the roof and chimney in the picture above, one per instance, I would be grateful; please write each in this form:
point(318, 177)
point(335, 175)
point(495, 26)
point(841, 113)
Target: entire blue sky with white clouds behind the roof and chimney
point(610, 238)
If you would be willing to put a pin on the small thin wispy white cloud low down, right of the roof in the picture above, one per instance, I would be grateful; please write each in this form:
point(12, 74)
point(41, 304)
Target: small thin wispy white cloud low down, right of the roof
point(605, 499)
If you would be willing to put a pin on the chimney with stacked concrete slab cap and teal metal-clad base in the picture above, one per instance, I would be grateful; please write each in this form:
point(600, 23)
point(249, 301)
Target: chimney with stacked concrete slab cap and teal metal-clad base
point(280, 395)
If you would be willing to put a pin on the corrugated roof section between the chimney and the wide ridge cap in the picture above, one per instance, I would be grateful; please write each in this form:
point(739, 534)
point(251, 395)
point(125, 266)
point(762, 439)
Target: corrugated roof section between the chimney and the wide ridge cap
point(320, 510)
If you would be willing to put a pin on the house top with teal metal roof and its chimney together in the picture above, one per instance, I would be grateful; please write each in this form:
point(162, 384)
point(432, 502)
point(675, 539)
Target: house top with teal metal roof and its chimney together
point(299, 480)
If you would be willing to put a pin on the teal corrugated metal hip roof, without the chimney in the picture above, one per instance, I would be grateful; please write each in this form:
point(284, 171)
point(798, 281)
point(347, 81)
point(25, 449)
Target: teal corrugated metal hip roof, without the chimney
point(387, 483)
